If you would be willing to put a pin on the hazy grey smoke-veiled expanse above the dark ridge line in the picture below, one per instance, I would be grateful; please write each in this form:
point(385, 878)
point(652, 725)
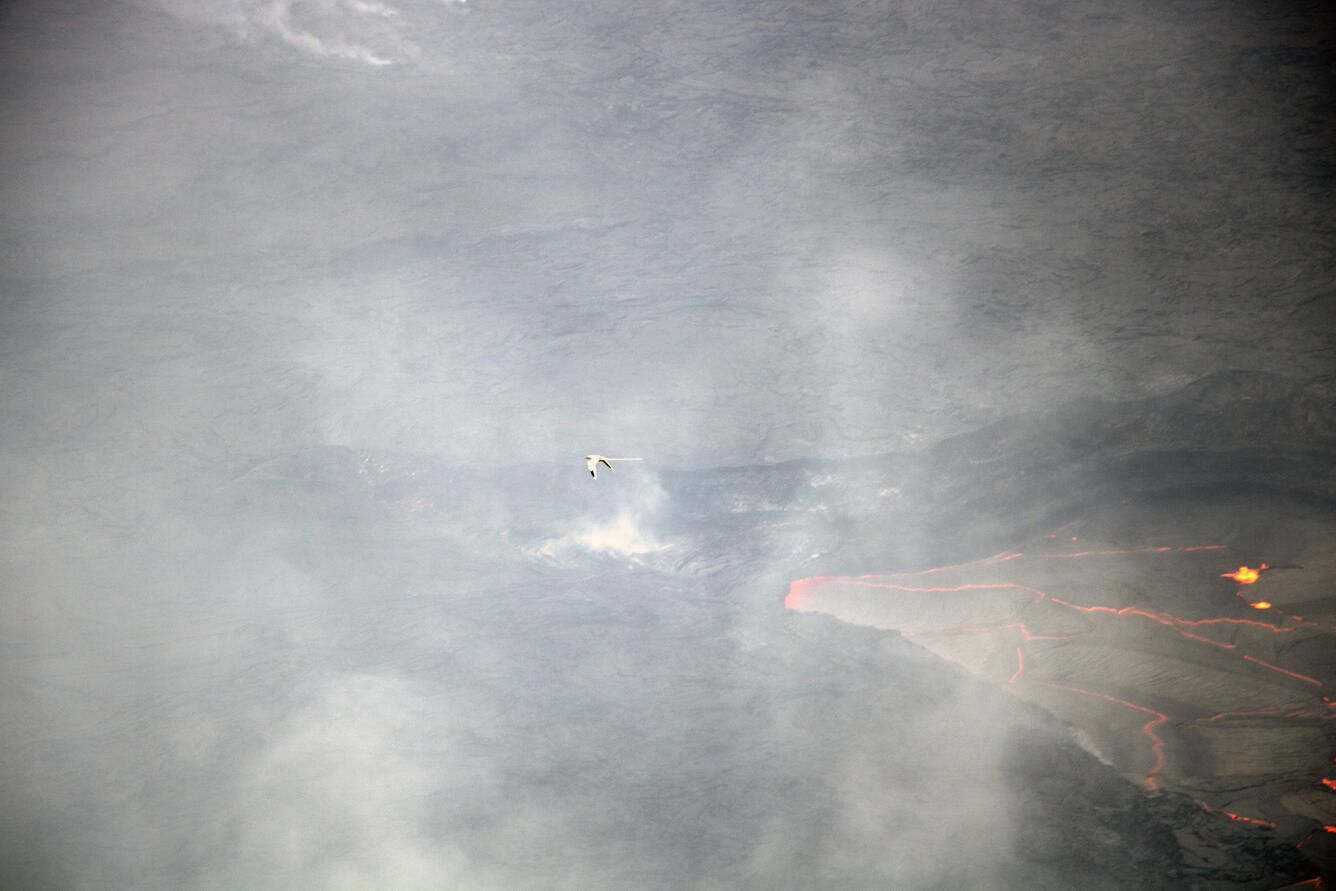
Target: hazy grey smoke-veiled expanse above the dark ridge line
point(734, 230)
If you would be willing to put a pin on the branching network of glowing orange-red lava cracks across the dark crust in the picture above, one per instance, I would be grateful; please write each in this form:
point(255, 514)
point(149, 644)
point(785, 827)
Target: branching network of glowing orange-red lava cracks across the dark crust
point(1244, 576)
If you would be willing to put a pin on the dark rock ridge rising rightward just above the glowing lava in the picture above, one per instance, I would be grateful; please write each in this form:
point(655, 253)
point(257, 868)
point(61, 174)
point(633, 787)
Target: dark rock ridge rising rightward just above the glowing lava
point(1232, 432)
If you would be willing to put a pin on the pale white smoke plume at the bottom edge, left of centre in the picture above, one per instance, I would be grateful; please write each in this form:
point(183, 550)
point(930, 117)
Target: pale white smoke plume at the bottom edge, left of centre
point(341, 797)
